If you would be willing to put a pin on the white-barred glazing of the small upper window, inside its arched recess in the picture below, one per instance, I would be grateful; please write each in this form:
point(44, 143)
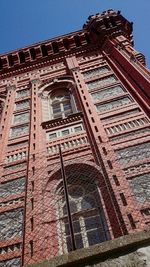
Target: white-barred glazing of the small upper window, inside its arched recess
point(60, 103)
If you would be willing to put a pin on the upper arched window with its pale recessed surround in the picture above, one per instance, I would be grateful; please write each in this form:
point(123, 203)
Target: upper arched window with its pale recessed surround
point(57, 98)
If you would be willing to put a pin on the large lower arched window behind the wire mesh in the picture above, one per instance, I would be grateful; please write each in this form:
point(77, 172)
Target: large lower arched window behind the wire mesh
point(89, 222)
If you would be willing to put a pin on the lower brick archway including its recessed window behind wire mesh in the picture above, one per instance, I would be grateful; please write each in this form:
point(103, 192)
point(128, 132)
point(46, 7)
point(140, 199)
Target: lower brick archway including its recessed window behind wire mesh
point(85, 178)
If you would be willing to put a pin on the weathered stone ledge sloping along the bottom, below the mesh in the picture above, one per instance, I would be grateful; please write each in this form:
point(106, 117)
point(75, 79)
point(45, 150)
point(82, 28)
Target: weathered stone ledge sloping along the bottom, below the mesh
point(99, 253)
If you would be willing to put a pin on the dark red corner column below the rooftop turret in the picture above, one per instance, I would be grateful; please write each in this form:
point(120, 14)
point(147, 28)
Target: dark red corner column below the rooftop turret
point(137, 81)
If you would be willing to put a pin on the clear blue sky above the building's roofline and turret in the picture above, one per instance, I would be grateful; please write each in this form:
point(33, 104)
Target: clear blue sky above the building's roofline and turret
point(24, 22)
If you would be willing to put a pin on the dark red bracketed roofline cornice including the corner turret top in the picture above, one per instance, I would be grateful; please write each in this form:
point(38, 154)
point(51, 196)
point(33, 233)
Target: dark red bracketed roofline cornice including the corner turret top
point(95, 31)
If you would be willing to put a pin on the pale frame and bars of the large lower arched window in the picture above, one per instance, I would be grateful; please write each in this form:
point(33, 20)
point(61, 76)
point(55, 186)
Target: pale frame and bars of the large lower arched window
point(81, 215)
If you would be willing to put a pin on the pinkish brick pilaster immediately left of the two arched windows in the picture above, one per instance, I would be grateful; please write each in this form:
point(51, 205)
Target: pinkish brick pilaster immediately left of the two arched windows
point(34, 236)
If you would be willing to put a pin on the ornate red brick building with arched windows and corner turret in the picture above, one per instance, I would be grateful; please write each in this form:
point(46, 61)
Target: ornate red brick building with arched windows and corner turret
point(78, 103)
